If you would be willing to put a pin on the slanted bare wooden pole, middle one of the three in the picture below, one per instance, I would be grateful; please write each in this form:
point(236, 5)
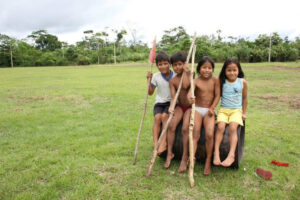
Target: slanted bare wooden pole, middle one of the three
point(154, 155)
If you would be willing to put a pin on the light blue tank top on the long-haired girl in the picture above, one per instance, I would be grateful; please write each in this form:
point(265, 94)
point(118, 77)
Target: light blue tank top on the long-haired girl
point(232, 94)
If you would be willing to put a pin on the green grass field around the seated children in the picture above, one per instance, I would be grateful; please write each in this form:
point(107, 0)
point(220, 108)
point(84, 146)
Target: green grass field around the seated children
point(70, 133)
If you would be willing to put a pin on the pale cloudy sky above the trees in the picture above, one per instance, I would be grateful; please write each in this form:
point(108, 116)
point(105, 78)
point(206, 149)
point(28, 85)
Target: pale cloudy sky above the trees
point(67, 19)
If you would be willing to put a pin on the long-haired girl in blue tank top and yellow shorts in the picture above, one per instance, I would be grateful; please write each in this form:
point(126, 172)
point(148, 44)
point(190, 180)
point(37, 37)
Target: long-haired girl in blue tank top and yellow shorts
point(233, 108)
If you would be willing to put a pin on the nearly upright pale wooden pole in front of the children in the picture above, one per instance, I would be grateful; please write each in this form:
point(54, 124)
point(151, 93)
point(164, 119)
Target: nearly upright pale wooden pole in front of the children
point(191, 127)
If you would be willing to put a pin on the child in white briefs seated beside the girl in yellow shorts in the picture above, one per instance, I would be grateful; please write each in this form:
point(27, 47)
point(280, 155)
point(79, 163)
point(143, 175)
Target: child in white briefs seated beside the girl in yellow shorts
point(207, 96)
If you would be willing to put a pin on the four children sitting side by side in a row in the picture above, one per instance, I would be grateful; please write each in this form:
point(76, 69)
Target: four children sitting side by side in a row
point(230, 87)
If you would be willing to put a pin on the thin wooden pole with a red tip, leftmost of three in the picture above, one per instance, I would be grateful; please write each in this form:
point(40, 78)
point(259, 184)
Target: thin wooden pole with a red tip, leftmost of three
point(151, 61)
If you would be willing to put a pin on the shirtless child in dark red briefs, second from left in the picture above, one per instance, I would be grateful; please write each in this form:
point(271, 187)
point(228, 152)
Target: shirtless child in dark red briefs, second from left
point(182, 109)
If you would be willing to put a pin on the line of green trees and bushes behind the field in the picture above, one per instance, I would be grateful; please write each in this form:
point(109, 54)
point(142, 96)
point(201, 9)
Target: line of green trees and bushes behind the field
point(41, 48)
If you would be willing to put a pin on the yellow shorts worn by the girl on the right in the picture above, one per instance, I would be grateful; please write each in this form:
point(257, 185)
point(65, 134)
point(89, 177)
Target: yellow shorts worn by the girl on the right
point(230, 115)
